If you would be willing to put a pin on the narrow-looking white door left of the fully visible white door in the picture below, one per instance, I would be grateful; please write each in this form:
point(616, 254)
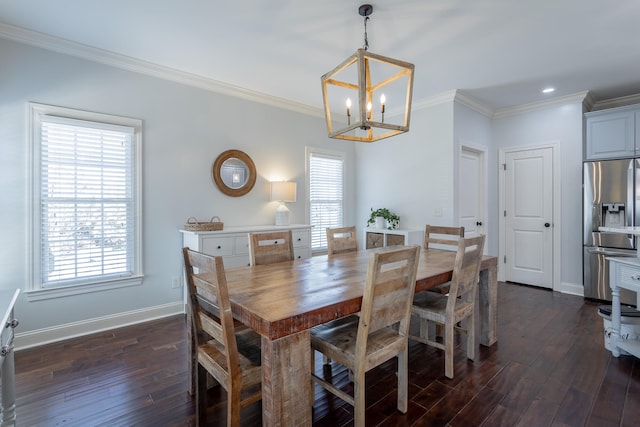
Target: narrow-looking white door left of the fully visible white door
point(471, 194)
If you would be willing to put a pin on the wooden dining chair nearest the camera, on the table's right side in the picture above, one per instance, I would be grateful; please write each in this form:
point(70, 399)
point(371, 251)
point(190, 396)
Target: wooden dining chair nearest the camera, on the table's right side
point(379, 333)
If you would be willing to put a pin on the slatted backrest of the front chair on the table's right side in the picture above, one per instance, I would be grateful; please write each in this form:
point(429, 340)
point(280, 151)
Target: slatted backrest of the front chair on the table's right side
point(388, 293)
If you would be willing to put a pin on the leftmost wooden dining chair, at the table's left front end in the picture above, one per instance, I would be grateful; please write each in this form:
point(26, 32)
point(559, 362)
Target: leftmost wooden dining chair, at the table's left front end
point(233, 360)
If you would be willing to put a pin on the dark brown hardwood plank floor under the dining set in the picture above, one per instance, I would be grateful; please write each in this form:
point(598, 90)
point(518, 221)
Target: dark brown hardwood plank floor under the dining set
point(549, 368)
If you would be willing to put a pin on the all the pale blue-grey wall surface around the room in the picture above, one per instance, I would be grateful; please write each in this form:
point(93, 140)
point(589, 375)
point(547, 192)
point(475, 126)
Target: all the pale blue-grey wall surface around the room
point(185, 128)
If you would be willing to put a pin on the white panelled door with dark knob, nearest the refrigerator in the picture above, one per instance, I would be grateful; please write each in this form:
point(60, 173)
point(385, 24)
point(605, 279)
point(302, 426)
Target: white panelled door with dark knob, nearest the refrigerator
point(529, 217)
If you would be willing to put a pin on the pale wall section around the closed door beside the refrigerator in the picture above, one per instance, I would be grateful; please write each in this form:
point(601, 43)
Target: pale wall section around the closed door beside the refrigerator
point(562, 124)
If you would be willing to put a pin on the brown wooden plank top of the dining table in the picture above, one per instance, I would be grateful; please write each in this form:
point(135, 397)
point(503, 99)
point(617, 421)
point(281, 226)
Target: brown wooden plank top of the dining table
point(282, 299)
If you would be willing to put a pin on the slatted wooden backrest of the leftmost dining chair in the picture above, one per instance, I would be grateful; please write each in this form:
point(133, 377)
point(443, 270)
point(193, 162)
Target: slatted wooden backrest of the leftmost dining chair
point(210, 308)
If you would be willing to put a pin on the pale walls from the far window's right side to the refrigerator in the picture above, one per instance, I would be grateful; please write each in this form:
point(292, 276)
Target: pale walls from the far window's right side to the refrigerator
point(416, 172)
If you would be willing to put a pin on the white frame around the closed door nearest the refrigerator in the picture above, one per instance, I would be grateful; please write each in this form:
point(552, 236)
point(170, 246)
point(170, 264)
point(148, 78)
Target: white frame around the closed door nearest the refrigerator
point(556, 222)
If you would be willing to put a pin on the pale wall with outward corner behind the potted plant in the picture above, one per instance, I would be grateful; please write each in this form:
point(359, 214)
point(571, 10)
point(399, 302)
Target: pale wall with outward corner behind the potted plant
point(416, 173)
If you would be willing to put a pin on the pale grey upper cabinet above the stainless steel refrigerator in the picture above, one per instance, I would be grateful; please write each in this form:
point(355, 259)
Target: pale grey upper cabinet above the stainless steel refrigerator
point(612, 133)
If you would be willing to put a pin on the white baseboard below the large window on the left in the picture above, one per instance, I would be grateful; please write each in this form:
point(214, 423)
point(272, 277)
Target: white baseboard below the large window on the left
point(98, 324)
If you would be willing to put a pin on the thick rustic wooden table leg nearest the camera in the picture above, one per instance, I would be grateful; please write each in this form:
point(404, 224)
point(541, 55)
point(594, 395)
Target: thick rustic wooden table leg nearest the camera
point(286, 381)
